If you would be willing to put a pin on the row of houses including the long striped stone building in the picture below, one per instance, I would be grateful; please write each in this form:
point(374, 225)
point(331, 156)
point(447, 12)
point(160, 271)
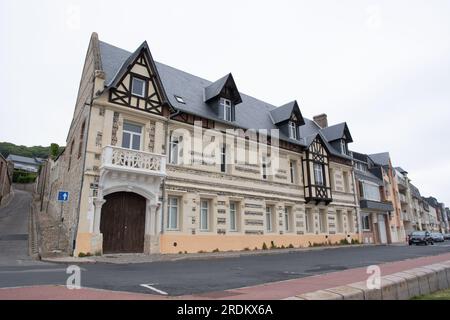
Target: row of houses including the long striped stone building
point(161, 161)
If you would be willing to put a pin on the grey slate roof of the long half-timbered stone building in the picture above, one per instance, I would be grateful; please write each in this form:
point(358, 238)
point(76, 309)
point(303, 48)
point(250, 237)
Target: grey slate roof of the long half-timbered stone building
point(251, 113)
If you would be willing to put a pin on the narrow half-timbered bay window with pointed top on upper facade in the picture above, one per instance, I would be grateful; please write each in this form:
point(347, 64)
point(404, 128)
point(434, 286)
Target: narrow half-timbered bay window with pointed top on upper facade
point(316, 172)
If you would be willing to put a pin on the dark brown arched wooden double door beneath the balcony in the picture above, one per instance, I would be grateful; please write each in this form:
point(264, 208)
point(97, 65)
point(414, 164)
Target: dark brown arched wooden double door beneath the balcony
point(123, 222)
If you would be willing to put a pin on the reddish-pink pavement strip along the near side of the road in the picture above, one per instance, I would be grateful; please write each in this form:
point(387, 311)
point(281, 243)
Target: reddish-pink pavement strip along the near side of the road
point(272, 291)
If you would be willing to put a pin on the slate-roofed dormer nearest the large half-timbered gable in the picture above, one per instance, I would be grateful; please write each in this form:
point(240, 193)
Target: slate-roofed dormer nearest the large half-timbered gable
point(223, 95)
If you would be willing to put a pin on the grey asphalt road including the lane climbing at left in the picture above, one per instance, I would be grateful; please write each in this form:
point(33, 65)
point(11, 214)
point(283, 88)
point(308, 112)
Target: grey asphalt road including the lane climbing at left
point(189, 276)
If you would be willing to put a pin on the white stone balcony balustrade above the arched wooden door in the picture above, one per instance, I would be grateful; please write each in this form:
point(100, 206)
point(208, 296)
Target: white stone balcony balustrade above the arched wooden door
point(133, 161)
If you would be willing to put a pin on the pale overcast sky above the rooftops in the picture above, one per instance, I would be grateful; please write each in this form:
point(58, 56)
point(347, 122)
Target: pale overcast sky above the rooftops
point(381, 66)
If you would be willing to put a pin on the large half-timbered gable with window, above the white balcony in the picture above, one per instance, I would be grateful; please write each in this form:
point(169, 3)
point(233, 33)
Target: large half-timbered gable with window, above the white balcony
point(137, 83)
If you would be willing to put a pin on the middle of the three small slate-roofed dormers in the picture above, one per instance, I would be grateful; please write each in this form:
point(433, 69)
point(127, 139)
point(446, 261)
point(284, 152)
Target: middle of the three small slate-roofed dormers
point(289, 119)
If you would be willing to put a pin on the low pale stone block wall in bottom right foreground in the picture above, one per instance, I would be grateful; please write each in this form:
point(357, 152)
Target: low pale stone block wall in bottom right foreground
point(397, 286)
